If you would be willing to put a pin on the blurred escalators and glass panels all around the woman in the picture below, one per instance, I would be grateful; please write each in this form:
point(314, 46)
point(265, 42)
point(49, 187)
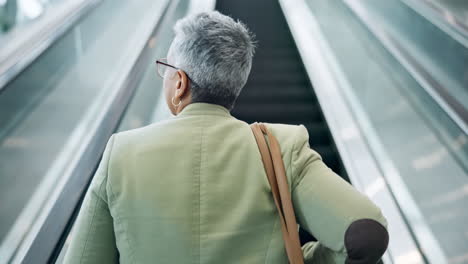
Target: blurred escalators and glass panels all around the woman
point(381, 86)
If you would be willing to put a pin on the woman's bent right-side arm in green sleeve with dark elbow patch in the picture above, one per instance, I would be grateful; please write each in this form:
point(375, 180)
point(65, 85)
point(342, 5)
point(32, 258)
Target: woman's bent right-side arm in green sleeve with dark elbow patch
point(349, 227)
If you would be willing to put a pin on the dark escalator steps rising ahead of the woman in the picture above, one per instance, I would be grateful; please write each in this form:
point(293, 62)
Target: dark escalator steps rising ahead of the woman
point(278, 89)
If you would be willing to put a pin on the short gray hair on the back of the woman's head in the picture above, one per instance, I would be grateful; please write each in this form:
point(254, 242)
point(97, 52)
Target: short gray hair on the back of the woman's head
point(216, 53)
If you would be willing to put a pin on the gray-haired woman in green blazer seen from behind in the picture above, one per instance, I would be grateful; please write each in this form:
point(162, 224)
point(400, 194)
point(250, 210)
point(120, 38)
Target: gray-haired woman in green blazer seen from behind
point(192, 189)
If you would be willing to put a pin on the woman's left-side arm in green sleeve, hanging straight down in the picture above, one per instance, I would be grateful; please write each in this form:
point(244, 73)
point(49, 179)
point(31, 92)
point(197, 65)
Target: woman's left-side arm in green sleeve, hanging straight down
point(93, 239)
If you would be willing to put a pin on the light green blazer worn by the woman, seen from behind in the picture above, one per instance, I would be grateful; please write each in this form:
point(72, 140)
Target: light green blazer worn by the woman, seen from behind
point(192, 189)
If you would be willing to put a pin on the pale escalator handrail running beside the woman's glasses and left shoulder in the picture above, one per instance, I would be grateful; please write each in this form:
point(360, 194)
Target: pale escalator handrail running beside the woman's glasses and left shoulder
point(43, 244)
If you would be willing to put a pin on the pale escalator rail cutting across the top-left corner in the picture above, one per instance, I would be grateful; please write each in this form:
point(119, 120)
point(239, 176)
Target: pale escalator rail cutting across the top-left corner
point(24, 44)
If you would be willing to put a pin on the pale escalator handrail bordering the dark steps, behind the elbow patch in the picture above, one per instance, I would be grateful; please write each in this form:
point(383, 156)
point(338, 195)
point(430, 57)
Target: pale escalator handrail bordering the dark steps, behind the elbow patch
point(364, 170)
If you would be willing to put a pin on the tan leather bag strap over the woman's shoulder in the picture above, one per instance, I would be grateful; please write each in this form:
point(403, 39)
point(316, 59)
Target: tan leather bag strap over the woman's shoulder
point(276, 173)
